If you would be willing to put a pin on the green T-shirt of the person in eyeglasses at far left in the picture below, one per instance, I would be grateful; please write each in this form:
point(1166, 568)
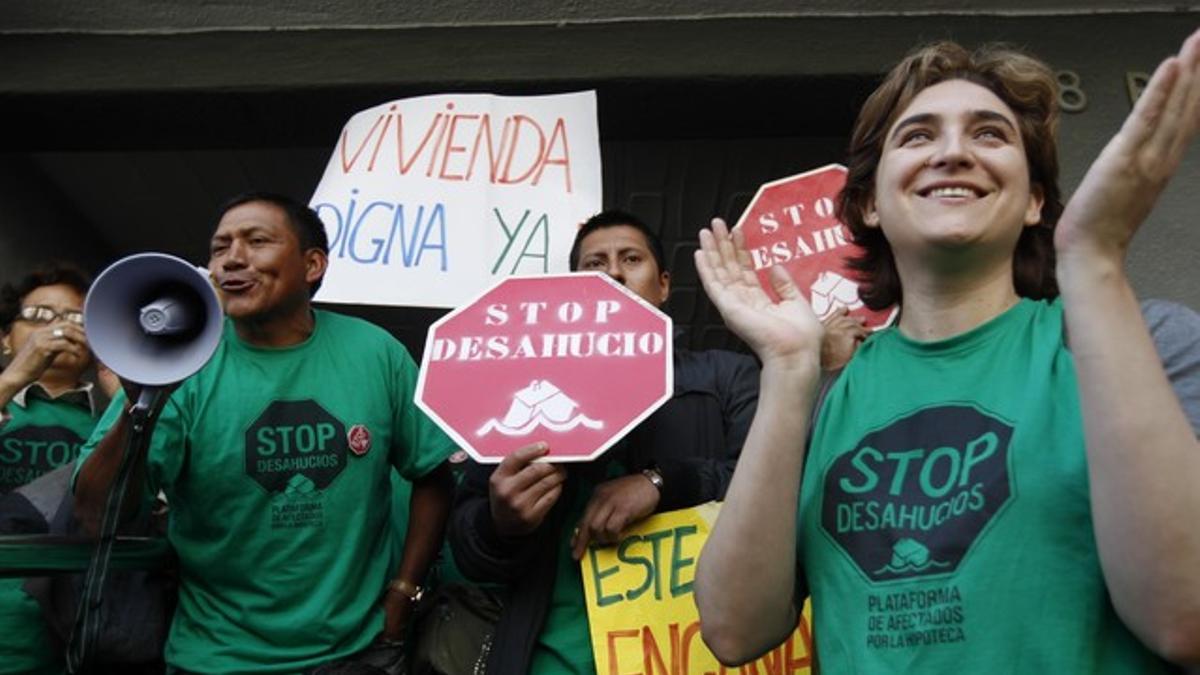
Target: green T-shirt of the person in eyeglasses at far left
point(40, 437)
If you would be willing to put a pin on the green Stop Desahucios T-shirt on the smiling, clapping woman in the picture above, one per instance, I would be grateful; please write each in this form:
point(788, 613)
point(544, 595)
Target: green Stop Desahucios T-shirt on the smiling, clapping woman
point(945, 523)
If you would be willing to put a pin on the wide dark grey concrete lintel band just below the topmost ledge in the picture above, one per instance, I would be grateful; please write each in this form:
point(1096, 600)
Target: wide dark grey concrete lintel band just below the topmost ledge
point(481, 56)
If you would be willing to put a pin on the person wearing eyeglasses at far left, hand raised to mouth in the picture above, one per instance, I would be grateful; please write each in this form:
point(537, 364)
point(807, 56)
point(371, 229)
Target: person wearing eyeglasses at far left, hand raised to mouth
point(47, 410)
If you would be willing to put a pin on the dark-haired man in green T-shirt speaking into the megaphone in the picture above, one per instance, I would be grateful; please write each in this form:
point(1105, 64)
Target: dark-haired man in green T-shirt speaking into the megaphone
point(275, 461)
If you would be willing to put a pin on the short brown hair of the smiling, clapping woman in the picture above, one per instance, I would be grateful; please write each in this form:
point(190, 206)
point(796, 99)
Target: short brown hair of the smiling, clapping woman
point(1024, 83)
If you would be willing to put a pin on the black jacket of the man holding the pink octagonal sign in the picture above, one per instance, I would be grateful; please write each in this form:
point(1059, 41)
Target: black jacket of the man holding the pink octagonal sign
point(694, 441)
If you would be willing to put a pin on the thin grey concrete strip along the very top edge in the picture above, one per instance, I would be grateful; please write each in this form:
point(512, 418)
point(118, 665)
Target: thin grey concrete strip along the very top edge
point(169, 16)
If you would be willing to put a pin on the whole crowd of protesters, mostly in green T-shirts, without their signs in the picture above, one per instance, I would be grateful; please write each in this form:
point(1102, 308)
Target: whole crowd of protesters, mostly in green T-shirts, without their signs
point(1018, 451)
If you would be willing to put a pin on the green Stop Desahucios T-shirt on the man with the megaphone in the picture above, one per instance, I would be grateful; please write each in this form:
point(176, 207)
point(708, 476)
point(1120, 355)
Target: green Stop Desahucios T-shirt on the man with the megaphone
point(277, 467)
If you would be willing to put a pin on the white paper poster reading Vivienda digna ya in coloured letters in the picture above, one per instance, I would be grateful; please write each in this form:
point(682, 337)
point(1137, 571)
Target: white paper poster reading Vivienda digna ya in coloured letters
point(429, 201)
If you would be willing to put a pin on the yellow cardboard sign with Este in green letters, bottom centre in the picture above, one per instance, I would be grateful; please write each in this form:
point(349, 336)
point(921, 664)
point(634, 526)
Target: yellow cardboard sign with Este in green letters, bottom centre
point(641, 613)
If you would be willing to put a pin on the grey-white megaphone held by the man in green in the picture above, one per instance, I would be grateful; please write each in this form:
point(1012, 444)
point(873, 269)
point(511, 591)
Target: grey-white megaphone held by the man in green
point(153, 319)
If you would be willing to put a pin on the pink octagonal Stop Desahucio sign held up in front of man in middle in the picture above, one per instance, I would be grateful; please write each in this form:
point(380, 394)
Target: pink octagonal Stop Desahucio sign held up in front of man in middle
point(573, 360)
